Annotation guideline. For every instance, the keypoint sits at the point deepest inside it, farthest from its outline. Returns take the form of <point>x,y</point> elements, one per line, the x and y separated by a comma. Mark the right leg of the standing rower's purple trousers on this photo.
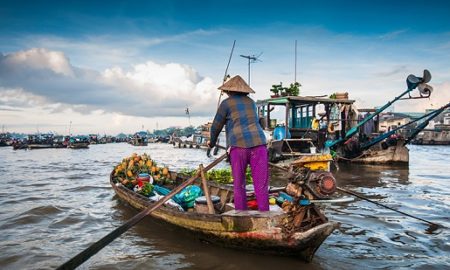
<point>260,174</point>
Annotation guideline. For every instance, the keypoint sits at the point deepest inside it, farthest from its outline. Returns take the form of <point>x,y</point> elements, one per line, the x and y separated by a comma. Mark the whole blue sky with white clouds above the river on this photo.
<point>118,66</point>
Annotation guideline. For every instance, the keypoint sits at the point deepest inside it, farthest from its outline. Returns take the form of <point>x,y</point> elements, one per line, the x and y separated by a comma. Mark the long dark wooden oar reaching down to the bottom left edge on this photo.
<point>97,246</point>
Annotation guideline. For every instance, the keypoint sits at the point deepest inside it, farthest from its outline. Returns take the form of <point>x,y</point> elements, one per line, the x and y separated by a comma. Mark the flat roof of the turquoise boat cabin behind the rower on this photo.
<point>306,100</point>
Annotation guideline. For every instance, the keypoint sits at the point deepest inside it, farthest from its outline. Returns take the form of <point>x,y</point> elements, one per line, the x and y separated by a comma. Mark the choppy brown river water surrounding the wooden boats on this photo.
<point>56,202</point>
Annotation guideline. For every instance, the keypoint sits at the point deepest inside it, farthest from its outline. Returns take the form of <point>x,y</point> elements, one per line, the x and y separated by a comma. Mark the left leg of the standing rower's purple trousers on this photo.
<point>239,158</point>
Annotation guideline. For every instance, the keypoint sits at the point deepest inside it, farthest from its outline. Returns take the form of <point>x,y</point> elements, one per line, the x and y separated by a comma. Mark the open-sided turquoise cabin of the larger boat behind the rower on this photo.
<point>300,124</point>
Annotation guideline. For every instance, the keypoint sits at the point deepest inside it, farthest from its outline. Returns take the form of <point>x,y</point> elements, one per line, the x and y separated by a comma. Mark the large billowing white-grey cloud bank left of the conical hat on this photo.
<point>148,89</point>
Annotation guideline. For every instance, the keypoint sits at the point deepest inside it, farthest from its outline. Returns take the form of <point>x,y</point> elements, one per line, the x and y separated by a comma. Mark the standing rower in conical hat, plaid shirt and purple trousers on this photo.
<point>246,140</point>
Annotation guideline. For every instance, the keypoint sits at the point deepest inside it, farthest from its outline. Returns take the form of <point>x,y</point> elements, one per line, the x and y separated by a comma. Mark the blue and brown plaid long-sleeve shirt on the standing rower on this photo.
<point>239,115</point>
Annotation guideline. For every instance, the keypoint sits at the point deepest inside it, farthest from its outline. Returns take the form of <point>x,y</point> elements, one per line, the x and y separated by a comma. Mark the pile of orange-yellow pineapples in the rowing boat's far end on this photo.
<point>128,170</point>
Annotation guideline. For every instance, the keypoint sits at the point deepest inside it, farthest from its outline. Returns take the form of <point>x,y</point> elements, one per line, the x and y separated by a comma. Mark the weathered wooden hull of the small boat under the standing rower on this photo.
<point>263,232</point>
